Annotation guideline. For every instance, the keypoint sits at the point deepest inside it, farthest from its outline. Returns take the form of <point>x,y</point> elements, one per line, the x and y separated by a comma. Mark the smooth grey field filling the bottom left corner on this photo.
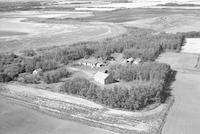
<point>18,119</point>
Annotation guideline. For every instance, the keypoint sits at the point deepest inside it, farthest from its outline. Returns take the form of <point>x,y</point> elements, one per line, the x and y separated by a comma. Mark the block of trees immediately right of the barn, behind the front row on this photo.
<point>147,71</point>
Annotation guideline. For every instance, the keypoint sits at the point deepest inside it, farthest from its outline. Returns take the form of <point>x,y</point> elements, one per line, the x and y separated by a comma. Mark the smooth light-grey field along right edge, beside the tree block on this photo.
<point>184,116</point>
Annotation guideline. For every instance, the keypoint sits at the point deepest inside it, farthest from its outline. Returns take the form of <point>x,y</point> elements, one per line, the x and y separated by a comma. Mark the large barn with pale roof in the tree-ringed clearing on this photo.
<point>103,78</point>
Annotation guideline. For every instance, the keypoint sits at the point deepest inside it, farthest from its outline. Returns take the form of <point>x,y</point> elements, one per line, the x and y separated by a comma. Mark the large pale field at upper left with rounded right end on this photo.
<point>18,34</point>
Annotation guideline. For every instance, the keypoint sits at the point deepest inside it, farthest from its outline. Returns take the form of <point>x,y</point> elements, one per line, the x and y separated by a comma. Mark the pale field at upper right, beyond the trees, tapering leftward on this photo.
<point>169,23</point>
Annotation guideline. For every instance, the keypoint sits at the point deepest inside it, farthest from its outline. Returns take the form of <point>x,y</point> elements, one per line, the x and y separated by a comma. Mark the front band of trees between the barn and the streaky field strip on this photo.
<point>137,97</point>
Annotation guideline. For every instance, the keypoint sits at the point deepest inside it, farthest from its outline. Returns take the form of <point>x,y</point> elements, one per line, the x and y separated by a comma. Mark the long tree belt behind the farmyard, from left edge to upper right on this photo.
<point>137,43</point>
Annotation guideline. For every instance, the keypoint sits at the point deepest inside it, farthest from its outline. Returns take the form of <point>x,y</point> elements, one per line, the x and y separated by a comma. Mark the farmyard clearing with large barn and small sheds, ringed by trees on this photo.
<point>99,67</point>
